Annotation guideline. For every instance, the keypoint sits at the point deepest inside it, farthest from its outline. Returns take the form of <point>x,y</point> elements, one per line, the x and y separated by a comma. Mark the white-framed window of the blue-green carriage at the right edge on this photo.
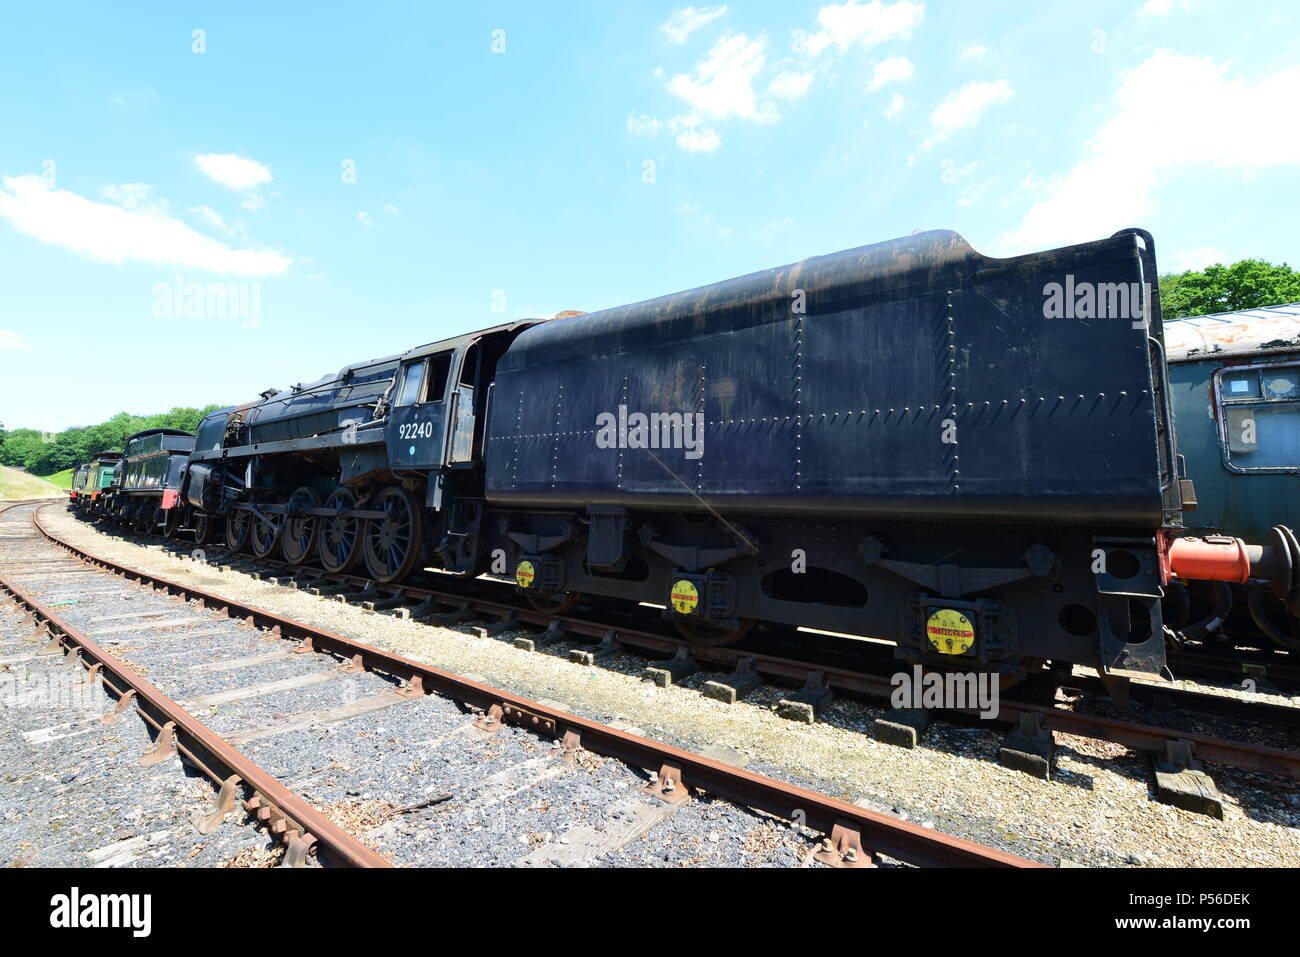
<point>1260,410</point>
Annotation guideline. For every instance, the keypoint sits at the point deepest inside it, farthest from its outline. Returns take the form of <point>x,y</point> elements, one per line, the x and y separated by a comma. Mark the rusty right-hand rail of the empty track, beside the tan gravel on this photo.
<point>848,825</point>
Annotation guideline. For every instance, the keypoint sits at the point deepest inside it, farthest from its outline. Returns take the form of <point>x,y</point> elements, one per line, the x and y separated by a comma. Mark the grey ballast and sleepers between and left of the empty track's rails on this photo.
<point>415,780</point>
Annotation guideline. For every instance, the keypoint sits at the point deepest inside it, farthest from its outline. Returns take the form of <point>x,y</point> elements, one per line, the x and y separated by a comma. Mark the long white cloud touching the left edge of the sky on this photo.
<point>135,232</point>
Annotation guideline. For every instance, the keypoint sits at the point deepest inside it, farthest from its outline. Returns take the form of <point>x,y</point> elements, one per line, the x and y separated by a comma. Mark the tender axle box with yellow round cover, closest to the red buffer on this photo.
<point>943,630</point>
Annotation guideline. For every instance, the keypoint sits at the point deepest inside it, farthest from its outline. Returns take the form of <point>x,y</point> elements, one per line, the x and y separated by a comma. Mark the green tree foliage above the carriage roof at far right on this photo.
<point>1247,285</point>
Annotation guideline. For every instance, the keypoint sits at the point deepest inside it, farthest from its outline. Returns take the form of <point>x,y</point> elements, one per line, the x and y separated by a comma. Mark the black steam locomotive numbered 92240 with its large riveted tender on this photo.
<point>905,441</point>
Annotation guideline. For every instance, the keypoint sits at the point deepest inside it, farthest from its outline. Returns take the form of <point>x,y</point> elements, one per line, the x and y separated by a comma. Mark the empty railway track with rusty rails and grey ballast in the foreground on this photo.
<point>440,741</point>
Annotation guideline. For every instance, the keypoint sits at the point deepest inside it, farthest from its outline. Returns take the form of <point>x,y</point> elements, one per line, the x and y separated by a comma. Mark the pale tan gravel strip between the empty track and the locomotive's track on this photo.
<point>1098,811</point>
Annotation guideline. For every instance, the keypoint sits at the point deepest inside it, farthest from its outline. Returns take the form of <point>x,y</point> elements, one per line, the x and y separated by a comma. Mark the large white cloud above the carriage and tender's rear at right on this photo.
<point>1115,185</point>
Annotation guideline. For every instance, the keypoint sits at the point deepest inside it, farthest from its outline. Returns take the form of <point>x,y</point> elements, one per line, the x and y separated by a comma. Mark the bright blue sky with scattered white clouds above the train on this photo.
<point>519,159</point>
